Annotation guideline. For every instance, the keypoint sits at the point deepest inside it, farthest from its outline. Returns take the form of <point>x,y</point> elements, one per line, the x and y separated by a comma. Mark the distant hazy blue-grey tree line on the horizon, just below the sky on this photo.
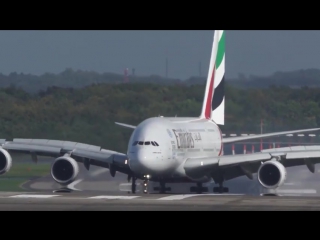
<point>78,79</point>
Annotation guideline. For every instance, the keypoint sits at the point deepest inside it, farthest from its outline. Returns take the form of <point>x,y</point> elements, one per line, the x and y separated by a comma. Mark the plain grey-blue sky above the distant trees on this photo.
<point>248,52</point>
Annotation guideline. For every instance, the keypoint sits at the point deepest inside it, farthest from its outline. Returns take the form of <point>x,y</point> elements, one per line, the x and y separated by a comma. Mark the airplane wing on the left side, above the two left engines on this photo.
<point>79,151</point>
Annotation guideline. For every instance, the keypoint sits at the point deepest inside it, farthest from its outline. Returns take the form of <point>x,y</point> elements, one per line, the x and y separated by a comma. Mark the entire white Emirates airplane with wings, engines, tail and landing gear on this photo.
<point>174,149</point>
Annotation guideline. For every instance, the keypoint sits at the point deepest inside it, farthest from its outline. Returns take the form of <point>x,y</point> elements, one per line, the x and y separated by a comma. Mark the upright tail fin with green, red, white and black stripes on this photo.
<point>214,99</point>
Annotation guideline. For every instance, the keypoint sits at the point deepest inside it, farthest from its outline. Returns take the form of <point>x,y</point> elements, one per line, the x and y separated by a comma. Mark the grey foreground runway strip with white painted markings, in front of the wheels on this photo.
<point>152,202</point>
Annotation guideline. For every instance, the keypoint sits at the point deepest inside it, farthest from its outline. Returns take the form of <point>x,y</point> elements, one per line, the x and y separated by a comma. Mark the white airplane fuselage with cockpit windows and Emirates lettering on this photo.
<point>158,147</point>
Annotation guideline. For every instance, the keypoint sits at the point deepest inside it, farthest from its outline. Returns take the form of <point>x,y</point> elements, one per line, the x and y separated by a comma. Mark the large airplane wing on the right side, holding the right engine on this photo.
<point>238,165</point>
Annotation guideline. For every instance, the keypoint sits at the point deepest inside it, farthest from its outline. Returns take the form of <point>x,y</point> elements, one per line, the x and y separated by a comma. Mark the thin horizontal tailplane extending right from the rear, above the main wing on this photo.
<point>265,135</point>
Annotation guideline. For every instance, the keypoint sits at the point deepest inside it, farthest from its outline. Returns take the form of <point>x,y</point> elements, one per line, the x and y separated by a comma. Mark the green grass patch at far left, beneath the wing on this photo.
<point>20,173</point>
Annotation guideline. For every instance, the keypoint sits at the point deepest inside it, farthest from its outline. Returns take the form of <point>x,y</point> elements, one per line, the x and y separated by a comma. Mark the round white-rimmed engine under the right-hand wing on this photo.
<point>272,174</point>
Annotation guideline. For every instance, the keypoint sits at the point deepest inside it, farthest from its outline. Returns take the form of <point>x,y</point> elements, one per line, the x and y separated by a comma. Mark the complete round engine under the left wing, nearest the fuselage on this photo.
<point>64,170</point>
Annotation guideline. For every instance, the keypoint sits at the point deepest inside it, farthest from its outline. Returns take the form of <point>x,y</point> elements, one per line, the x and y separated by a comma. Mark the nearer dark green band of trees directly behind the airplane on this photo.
<point>88,114</point>
